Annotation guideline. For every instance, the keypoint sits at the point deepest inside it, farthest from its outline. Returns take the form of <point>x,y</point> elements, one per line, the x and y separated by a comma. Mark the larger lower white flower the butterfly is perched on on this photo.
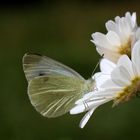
<point>123,85</point>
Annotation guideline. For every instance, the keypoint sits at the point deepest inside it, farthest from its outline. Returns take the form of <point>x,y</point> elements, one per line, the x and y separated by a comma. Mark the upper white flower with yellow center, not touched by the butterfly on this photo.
<point>120,38</point>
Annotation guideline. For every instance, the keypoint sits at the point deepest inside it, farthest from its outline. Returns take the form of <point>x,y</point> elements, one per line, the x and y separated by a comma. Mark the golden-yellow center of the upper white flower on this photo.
<point>126,48</point>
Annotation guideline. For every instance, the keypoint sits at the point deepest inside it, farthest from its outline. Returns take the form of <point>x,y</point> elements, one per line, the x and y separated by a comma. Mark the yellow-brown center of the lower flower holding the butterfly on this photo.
<point>128,92</point>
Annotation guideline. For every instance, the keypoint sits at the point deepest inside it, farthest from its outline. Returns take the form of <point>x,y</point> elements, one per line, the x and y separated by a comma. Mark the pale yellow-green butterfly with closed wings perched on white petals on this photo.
<point>53,88</point>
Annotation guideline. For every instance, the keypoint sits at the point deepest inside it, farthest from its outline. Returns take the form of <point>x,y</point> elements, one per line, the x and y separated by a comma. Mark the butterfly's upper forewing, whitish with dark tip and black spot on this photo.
<point>37,65</point>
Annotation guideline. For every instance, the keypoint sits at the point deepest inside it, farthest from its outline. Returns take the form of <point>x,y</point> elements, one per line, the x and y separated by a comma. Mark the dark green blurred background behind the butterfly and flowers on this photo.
<point>61,30</point>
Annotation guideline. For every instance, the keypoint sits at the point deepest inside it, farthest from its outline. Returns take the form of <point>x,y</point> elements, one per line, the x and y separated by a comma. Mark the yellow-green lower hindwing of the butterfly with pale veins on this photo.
<point>53,96</point>
